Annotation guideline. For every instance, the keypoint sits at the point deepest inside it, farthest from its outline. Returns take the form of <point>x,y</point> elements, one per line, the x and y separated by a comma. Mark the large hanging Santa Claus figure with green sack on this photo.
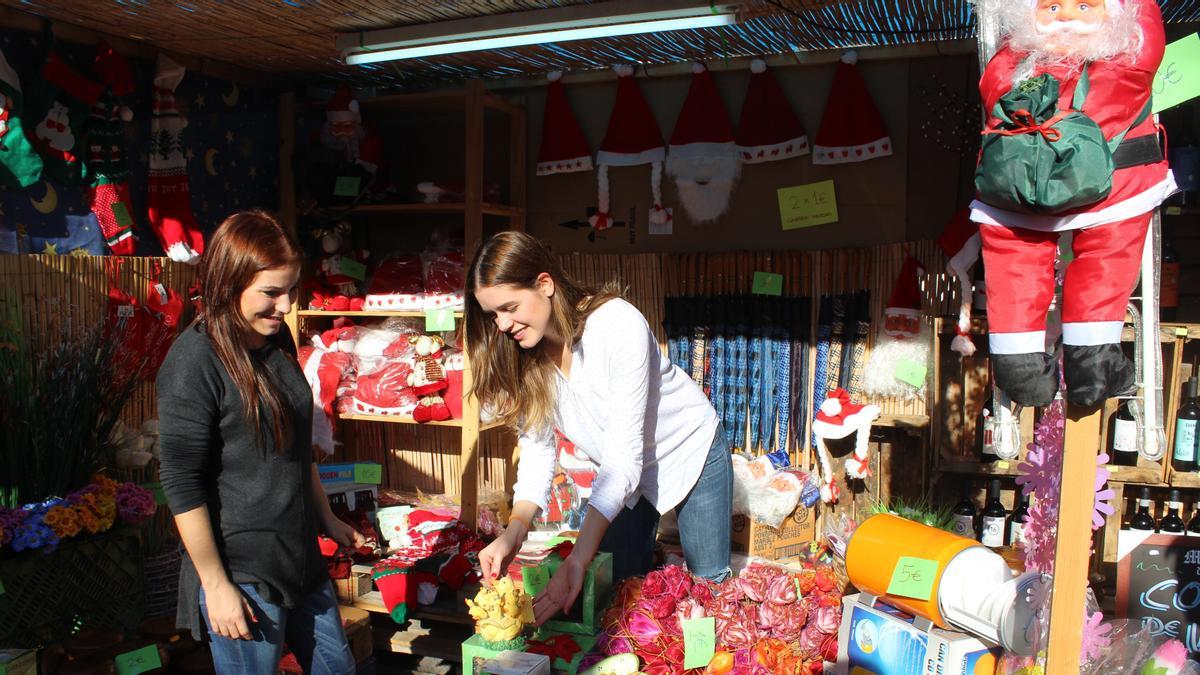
<point>1072,83</point>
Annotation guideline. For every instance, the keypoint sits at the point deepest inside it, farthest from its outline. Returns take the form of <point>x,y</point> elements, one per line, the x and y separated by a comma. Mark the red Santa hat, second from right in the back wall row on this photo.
<point>769,129</point>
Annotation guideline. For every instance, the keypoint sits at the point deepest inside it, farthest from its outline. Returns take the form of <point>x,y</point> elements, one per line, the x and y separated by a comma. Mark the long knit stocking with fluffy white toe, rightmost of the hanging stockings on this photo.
<point>167,192</point>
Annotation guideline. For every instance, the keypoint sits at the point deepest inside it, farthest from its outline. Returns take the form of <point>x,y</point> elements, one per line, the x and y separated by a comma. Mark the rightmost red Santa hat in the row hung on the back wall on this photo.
<point>851,130</point>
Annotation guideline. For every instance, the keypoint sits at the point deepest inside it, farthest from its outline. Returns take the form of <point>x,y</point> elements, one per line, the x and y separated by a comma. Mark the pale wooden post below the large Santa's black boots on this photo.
<point>1073,548</point>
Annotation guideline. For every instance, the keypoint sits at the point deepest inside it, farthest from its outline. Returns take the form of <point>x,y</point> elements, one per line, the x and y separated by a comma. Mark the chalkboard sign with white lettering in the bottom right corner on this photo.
<point>1159,584</point>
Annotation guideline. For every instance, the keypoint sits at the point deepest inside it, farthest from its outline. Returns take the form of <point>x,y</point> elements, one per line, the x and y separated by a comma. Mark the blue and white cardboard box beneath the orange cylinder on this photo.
<point>884,641</point>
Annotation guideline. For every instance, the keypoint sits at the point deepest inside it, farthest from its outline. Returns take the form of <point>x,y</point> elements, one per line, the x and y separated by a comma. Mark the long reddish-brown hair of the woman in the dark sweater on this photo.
<point>247,244</point>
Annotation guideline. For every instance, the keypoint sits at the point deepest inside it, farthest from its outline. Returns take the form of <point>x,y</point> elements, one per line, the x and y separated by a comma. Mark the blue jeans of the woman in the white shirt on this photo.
<point>704,524</point>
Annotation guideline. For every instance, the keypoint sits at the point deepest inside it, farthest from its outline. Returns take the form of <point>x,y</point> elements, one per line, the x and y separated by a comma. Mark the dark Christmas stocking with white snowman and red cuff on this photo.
<point>64,99</point>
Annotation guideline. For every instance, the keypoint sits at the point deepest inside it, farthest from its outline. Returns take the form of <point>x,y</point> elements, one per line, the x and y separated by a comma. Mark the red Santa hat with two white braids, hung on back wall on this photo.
<point>633,139</point>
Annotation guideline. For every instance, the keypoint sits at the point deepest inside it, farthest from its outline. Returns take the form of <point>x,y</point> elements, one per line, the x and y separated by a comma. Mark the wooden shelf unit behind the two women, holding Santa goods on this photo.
<point>473,101</point>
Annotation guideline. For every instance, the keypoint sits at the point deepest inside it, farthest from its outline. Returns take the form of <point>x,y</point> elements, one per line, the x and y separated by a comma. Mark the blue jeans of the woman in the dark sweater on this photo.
<point>314,632</point>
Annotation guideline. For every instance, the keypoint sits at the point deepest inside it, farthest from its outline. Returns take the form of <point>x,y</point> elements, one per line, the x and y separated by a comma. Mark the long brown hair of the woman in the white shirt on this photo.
<point>520,385</point>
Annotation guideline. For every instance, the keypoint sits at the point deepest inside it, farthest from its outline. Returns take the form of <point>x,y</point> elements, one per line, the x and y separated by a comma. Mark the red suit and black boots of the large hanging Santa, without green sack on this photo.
<point>1019,249</point>
